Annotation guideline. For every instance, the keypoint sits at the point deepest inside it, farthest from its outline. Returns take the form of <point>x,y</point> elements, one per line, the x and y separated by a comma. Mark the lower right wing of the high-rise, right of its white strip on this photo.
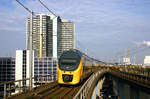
<point>66,36</point>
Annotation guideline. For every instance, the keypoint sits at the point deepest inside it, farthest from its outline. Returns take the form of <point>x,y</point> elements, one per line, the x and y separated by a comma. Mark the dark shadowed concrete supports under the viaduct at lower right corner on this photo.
<point>126,90</point>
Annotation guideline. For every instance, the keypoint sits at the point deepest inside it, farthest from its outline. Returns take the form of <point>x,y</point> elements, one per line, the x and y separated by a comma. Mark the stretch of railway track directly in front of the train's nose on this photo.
<point>58,92</point>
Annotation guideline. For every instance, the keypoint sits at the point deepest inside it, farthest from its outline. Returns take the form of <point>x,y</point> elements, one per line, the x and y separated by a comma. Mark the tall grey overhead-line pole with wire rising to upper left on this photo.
<point>30,52</point>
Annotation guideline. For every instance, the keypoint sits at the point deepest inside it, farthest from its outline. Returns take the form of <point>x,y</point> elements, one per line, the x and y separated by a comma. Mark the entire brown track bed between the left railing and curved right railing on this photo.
<point>50,91</point>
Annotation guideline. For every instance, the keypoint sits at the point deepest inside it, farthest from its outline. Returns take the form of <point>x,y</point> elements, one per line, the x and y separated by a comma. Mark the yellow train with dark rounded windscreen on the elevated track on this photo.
<point>74,66</point>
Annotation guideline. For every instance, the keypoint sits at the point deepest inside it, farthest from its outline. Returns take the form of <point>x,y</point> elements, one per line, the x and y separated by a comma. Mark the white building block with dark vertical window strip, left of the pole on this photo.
<point>22,66</point>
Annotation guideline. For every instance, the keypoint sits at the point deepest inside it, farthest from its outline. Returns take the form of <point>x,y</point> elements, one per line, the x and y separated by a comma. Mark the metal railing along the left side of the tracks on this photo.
<point>16,87</point>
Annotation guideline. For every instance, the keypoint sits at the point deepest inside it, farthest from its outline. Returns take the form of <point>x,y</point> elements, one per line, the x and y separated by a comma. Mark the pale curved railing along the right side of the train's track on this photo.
<point>86,88</point>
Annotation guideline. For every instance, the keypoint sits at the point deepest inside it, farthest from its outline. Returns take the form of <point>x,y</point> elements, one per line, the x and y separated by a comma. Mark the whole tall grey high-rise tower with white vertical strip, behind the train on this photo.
<point>50,35</point>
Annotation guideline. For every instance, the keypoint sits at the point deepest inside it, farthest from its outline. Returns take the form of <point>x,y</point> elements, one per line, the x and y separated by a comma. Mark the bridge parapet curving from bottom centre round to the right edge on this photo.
<point>136,75</point>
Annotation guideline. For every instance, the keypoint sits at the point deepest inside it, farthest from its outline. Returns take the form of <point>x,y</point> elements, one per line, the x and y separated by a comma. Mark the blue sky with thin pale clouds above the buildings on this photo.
<point>104,29</point>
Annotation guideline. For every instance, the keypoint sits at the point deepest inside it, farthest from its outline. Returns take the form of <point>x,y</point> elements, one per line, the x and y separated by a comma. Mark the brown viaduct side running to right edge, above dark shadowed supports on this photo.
<point>141,77</point>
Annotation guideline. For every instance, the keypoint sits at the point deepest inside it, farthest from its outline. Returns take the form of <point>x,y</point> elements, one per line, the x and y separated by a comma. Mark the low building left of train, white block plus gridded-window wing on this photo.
<point>43,69</point>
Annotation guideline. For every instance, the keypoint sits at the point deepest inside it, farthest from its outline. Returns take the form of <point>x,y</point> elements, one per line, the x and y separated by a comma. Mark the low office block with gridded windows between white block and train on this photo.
<point>45,70</point>
